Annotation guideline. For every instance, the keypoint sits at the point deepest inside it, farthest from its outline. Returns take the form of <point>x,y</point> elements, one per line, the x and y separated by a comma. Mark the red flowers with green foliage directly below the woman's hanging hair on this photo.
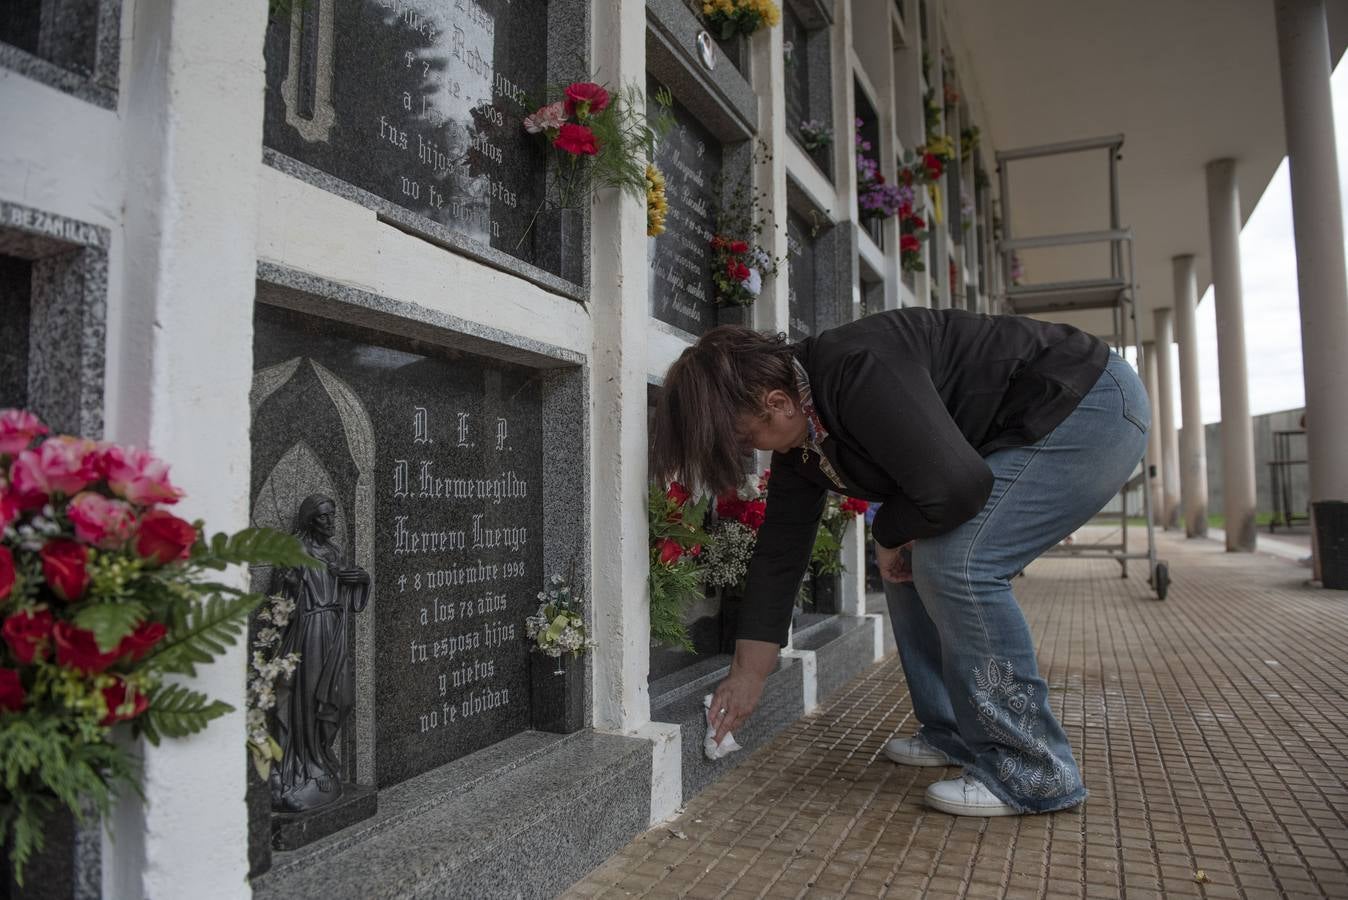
<point>675,527</point>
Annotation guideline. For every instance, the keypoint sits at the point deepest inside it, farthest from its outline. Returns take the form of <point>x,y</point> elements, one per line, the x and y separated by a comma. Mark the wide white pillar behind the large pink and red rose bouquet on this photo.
<point>180,368</point>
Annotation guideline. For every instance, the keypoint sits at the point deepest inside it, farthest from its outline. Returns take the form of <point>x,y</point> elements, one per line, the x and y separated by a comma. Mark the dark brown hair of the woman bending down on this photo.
<point>712,383</point>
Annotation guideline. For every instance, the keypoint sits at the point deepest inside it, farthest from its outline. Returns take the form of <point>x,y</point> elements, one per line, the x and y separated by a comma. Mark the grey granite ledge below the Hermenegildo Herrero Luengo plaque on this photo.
<point>524,818</point>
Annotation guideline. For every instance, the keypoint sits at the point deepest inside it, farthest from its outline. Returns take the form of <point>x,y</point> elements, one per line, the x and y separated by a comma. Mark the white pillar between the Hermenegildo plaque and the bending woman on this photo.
<point>618,385</point>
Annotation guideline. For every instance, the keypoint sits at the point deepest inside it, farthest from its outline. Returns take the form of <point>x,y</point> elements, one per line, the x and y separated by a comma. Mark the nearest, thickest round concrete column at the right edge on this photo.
<point>1318,219</point>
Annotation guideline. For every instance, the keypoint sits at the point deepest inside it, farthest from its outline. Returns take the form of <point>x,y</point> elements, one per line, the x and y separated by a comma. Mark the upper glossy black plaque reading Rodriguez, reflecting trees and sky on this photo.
<point>423,104</point>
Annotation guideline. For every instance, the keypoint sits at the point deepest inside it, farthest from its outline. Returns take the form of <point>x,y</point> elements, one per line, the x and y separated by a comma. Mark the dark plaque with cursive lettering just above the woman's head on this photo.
<point>681,288</point>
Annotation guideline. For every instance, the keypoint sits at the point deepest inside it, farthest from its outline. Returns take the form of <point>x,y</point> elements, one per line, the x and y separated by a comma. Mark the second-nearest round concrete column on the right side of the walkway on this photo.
<point>1238,455</point>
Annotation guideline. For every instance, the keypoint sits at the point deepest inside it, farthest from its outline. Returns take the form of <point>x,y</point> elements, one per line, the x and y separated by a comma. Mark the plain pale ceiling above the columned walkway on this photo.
<point>1186,82</point>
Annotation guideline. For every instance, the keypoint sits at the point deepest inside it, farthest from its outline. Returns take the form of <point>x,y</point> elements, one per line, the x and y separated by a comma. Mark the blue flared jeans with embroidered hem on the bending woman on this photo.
<point>966,647</point>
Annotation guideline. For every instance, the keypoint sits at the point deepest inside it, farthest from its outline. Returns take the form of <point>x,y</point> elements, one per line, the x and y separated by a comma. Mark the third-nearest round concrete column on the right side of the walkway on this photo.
<point>1194,444</point>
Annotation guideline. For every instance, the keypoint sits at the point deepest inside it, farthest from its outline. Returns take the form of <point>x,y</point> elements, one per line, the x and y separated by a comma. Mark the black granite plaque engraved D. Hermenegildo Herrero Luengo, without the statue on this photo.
<point>435,461</point>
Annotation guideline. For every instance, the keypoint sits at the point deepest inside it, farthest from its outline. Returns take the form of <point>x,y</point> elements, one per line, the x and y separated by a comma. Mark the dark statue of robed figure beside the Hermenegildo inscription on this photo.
<point>313,707</point>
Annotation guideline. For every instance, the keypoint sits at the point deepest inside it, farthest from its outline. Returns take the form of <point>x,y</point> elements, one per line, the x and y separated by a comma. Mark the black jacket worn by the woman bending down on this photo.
<point>913,401</point>
